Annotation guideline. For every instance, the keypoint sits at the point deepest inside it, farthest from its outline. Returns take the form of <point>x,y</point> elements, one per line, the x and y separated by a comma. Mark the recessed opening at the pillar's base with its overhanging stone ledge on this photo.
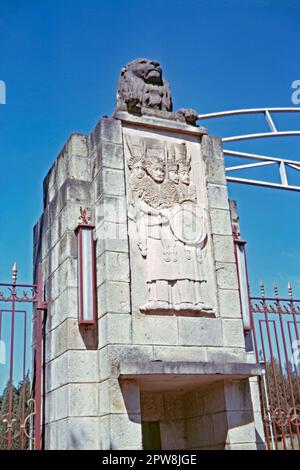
<point>193,405</point>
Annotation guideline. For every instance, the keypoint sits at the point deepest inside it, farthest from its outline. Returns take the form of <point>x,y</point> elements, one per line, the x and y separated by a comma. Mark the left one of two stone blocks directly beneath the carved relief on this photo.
<point>154,330</point>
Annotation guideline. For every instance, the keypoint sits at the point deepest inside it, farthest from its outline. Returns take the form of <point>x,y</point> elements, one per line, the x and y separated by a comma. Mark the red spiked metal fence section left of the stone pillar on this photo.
<point>20,406</point>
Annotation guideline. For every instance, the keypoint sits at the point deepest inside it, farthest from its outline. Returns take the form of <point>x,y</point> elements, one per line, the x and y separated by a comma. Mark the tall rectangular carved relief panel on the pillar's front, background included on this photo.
<point>167,227</point>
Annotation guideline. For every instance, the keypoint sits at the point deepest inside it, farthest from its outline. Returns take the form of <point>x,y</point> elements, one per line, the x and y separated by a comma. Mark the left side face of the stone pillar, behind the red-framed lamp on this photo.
<point>71,389</point>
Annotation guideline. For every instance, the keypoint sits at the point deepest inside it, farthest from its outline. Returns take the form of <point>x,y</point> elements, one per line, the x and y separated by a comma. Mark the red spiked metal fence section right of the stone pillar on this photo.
<point>275,328</point>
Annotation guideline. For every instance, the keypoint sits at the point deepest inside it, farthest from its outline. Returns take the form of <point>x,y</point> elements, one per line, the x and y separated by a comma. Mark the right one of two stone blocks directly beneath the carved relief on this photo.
<point>200,331</point>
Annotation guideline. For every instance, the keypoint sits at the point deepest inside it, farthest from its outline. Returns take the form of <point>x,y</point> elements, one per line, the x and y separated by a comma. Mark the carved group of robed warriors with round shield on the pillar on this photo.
<point>164,214</point>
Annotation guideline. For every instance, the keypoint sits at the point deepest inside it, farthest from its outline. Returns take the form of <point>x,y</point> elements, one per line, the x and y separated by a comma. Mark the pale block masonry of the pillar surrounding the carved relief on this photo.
<point>86,406</point>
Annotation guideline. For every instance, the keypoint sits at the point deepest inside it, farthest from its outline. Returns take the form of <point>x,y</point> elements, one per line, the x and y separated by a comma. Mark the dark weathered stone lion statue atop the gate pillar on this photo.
<point>143,90</point>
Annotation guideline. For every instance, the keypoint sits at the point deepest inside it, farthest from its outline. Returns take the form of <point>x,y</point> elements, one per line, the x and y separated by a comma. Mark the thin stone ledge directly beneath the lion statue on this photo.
<point>158,123</point>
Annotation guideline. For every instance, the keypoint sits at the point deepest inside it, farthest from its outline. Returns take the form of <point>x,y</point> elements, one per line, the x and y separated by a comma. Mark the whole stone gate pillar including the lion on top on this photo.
<point>166,364</point>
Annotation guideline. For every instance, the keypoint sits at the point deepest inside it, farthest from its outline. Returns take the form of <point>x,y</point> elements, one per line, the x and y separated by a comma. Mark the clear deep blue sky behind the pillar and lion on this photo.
<point>61,61</point>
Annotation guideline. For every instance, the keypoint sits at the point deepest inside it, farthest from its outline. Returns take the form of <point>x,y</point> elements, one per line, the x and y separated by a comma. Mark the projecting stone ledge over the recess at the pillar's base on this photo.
<point>167,375</point>
